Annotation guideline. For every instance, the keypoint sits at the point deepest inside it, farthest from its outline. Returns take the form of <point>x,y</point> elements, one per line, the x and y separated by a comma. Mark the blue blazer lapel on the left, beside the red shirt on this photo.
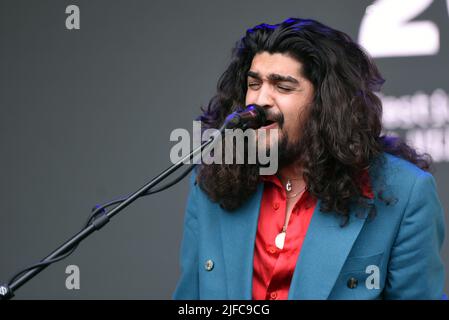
<point>238,231</point>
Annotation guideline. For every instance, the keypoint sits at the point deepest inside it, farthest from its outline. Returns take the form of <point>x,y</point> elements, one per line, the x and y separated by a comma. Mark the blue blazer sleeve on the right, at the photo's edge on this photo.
<point>415,269</point>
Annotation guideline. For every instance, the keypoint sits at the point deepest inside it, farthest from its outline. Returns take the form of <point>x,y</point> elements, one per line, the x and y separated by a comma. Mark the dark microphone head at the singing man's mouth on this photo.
<point>254,117</point>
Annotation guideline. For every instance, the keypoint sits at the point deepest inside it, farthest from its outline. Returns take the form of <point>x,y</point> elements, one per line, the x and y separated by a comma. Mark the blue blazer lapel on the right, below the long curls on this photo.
<point>323,253</point>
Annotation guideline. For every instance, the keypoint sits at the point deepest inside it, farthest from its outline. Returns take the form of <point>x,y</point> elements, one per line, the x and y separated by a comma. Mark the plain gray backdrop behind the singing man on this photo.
<point>86,117</point>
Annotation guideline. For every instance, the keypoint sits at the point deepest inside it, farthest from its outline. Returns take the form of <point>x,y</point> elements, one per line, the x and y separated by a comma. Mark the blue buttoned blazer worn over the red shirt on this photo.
<point>403,242</point>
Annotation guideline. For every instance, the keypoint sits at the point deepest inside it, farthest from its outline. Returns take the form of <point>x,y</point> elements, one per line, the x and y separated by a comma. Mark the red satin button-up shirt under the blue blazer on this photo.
<point>272,267</point>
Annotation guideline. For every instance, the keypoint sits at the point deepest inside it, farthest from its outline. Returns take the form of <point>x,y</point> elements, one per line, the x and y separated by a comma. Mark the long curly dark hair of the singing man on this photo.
<point>341,136</point>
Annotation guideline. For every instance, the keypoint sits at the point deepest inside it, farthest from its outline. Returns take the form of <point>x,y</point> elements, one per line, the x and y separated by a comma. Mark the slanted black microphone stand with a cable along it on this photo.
<point>7,290</point>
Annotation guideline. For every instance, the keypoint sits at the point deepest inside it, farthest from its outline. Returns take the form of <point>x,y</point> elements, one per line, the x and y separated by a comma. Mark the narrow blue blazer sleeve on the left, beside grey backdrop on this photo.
<point>188,284</point>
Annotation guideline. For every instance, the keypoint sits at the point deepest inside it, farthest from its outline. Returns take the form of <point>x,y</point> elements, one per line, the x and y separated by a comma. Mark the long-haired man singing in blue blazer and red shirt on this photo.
<point>350,213</point>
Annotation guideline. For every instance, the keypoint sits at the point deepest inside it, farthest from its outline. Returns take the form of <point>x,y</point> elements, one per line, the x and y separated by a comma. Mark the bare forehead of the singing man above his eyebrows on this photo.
<point>266,63</point>
